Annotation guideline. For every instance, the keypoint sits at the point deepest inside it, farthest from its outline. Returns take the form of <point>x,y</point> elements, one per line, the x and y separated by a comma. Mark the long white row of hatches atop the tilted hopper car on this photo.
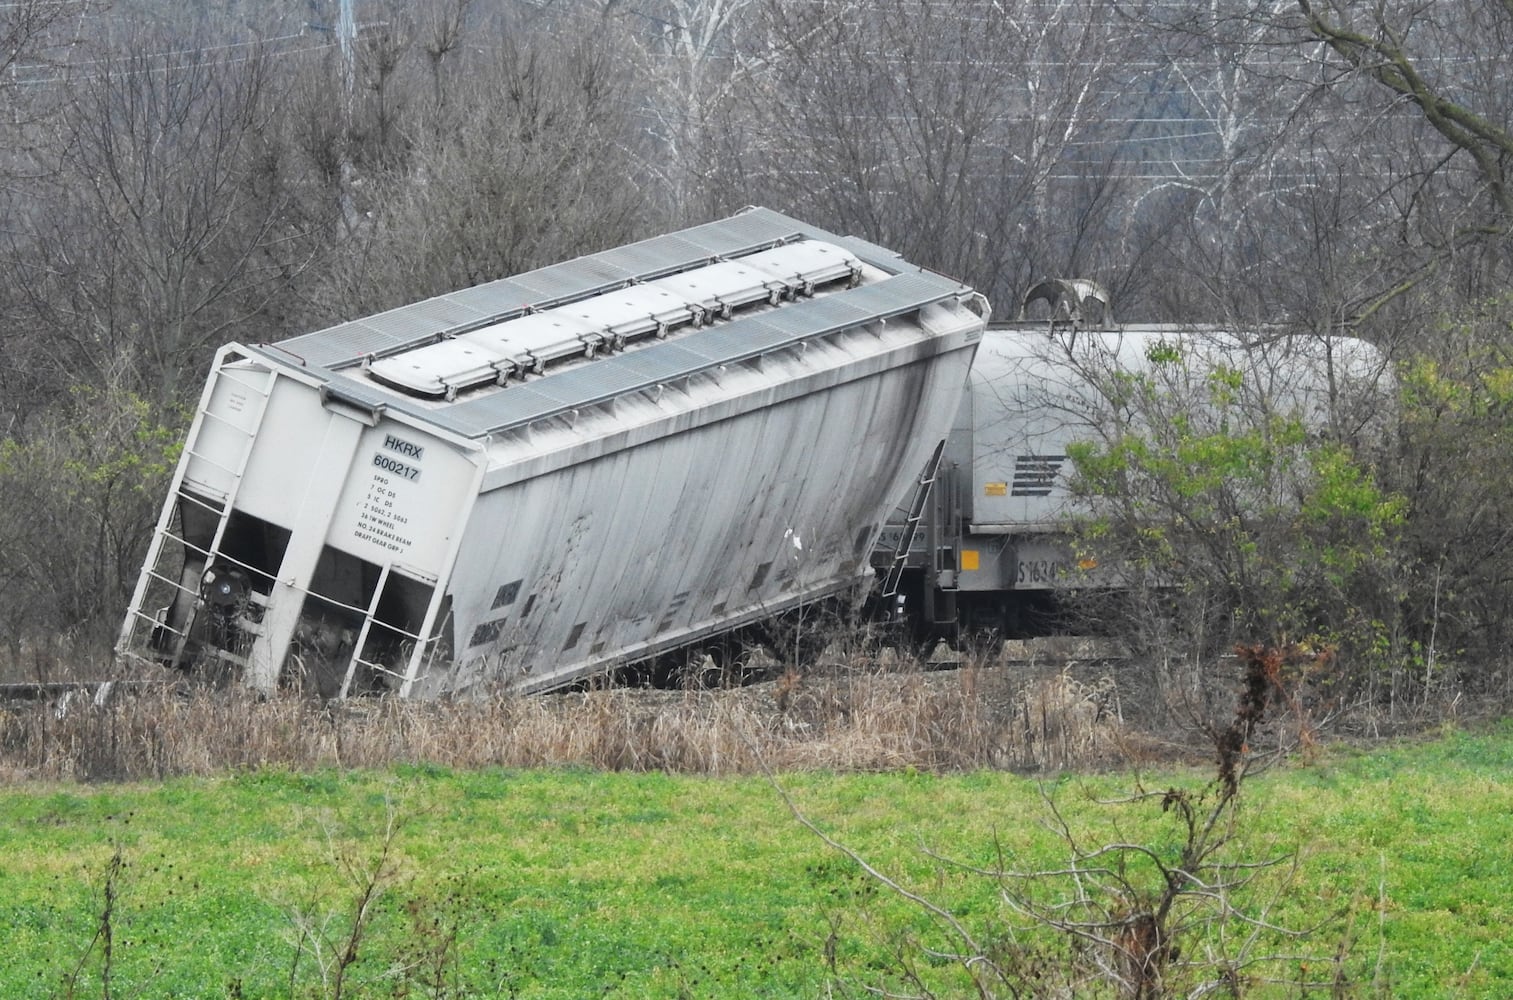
<point>609,321</point>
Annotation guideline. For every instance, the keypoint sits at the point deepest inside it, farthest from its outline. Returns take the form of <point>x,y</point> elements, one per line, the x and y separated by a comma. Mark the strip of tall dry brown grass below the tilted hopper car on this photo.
<point>865,715</point>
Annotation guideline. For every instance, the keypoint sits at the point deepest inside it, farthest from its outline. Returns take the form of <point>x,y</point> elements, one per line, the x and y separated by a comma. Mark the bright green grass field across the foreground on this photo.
<point>582,884</point>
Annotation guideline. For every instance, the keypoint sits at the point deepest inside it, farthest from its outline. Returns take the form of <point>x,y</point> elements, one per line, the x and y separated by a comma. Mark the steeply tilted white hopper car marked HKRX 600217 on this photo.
<point>536,479</point>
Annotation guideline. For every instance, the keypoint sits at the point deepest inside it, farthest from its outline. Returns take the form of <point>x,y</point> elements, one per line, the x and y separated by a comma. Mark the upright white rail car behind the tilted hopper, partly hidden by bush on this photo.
<point>992,544</point>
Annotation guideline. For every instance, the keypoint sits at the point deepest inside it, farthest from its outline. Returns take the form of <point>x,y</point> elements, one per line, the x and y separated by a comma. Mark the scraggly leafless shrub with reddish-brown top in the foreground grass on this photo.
<point>1182,908</point>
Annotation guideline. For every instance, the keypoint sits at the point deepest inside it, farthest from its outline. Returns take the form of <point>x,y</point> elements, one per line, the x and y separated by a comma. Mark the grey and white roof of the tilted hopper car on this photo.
<point>494,341</point>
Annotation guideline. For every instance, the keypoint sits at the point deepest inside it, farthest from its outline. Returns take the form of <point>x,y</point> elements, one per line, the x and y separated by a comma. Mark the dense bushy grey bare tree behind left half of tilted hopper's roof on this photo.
<point>526,166</point>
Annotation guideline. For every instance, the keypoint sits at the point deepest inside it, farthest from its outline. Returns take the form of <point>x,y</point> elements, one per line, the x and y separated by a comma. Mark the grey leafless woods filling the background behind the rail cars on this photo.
<point>175,176</point>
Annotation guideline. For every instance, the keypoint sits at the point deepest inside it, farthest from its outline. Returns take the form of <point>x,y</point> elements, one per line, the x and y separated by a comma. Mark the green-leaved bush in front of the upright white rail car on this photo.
<point>1238,517</point>
